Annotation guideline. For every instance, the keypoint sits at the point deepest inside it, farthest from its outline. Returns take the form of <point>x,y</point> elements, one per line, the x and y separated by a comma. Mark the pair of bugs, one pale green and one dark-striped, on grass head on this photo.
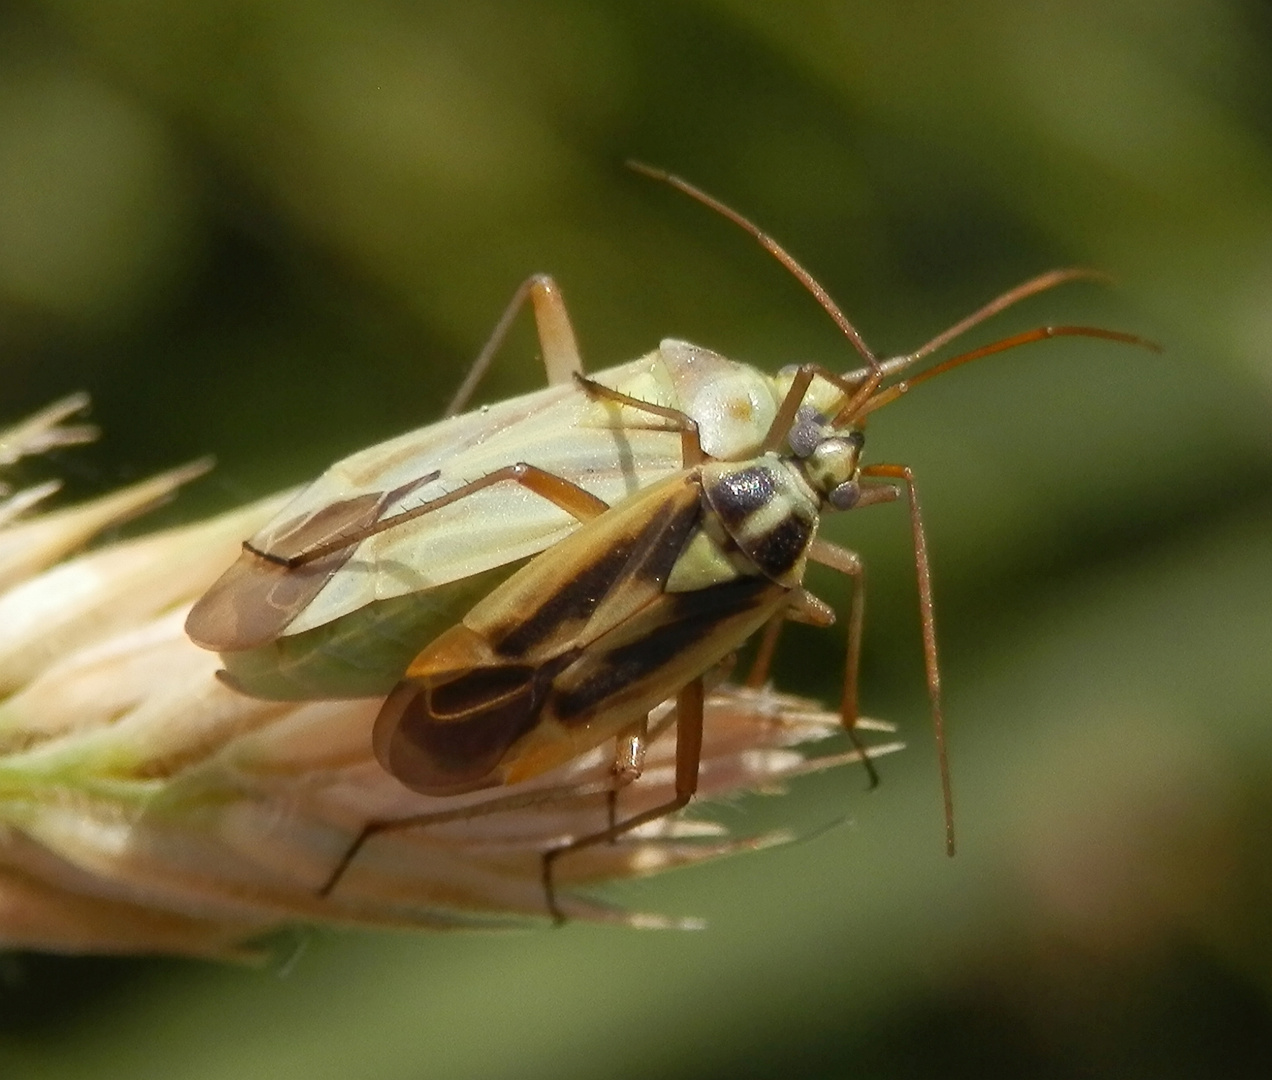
<point>672,506</point>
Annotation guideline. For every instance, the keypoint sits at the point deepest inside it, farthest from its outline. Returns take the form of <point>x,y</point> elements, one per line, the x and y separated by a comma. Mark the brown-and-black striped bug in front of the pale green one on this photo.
<point>652,596</point>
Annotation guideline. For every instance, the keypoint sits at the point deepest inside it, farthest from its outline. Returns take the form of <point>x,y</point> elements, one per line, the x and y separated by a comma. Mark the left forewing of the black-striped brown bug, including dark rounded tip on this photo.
<point>471,704</point>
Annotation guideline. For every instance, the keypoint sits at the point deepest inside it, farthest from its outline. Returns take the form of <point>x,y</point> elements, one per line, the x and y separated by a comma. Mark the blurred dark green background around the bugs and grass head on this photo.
<point>277,232</point>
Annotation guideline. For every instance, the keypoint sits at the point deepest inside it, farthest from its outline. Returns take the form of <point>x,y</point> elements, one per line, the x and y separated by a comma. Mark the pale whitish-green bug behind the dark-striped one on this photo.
<point>390,546</point>
